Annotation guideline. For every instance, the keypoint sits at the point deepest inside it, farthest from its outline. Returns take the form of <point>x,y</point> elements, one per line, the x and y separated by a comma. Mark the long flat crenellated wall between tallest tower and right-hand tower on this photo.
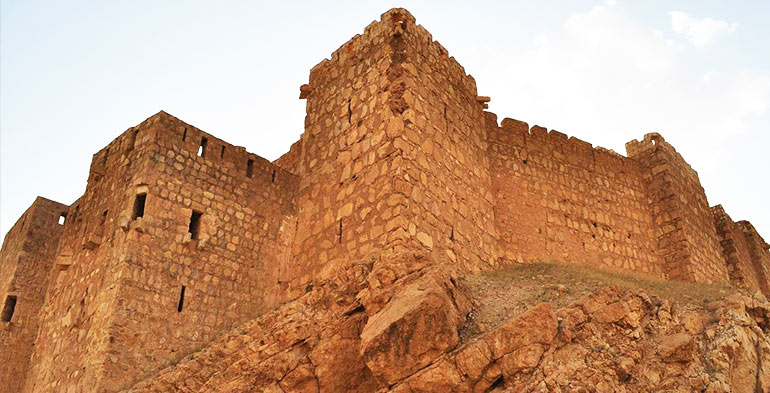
<point>561,199</point>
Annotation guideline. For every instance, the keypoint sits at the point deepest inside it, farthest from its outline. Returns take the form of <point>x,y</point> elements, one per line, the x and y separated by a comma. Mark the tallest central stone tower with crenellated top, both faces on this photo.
<point>393,155</point>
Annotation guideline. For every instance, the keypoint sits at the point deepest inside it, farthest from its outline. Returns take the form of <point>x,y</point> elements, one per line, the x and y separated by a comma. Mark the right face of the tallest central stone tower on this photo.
<point>444,177</point>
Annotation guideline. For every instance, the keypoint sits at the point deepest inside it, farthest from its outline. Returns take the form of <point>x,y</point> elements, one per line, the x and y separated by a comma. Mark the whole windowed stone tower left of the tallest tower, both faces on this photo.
<point>112,316</point>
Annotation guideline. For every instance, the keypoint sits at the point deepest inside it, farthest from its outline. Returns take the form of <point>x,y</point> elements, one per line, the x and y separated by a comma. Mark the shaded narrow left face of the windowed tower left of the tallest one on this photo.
<point>71,348</point>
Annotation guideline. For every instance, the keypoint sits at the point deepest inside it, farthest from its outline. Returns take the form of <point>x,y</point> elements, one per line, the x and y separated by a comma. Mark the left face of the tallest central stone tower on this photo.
<point>345,158</point>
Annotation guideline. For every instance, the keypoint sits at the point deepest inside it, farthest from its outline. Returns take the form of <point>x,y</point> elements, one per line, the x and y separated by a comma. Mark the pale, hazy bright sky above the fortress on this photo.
<point>75,74</point>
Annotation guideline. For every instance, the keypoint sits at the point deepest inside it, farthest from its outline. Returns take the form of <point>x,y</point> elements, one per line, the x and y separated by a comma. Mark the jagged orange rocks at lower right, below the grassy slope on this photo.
<point>615,340</point>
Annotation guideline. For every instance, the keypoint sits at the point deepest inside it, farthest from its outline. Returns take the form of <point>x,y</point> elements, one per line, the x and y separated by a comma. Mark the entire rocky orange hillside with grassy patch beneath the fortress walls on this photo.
<point>397,325</point>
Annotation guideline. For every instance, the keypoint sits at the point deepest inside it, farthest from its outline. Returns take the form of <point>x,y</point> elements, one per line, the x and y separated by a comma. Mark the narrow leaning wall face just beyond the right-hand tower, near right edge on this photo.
<point>735,250</point>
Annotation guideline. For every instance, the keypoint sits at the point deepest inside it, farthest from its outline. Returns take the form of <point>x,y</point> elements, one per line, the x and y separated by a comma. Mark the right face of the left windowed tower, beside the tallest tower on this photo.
<point>230,272</point>
